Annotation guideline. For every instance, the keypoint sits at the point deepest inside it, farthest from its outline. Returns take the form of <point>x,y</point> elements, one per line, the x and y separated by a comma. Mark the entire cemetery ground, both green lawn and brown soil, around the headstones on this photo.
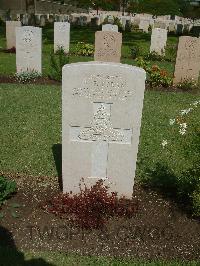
<point>161,228</point>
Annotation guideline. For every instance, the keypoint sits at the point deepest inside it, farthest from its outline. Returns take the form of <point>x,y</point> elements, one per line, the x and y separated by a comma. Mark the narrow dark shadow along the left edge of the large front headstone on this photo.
<point>57,154</point>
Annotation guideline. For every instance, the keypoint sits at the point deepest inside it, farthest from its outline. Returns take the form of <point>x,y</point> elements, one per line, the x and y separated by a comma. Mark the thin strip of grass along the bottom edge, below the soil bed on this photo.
<point>8,256</point>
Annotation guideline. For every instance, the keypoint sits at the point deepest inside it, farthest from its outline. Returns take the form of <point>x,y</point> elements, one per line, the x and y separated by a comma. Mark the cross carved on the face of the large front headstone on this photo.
<point>100,134</point>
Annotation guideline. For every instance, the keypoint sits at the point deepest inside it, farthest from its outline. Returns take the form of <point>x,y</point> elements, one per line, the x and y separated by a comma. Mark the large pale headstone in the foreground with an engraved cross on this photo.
<point>101,117</point>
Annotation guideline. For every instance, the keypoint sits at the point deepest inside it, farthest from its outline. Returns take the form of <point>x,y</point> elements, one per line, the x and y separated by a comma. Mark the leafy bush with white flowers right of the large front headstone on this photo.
<point>183,144</point>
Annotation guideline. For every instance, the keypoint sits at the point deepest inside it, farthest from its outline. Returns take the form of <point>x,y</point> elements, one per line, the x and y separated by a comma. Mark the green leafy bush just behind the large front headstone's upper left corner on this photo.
<point>57,61</point>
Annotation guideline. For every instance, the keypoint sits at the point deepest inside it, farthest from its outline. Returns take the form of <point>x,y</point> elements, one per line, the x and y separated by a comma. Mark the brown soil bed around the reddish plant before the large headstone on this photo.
<point>158,230</point>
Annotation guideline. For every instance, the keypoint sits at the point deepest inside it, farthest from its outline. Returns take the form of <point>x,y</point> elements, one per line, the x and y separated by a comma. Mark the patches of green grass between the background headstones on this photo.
<point>130,39</point>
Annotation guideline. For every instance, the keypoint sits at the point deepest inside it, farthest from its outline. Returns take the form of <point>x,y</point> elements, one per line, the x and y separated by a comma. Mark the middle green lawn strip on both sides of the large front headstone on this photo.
<point>31,125</point>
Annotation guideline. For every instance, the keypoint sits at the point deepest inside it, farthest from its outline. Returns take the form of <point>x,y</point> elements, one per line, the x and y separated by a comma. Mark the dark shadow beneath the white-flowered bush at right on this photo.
<point>177,187</point>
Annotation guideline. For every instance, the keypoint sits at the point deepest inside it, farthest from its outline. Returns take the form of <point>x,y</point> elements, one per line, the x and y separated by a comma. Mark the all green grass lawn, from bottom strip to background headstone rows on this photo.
<point>31,126</point>
